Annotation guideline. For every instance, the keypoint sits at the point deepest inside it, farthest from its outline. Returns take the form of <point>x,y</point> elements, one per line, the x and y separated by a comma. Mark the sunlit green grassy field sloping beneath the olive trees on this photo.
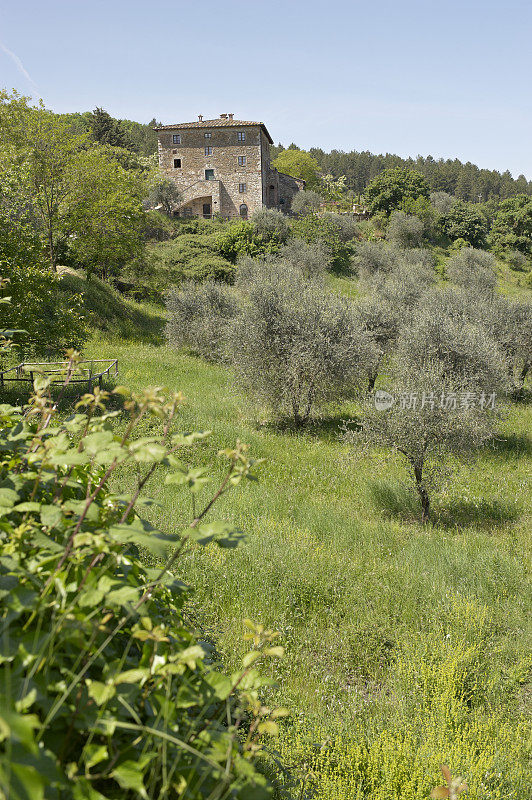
<point>406,645</point>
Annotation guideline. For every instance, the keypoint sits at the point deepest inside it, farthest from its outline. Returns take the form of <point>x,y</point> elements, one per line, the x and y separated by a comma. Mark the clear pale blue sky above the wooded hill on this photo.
<point>450,79</point>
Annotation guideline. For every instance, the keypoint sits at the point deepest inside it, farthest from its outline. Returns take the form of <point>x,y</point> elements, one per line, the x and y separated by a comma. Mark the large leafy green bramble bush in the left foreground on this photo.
<point>105,692</point>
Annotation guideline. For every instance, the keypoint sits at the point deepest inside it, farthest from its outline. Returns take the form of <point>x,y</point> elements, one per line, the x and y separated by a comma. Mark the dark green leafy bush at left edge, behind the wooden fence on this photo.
<point>51,322</point>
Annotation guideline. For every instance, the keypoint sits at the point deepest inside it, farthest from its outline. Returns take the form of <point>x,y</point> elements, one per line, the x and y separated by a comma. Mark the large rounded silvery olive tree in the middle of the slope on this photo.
<point>295,346</point>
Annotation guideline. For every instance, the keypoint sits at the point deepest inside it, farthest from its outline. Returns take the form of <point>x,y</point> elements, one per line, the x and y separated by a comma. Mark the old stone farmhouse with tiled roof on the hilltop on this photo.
<point>222,167</point>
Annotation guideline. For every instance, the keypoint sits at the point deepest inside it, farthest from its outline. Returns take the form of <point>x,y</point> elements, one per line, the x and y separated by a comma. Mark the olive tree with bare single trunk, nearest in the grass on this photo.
<point>430,417</point>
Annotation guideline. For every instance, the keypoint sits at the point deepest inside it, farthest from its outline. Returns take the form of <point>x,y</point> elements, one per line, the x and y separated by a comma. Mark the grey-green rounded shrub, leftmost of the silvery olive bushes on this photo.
<point>198,315</point>
